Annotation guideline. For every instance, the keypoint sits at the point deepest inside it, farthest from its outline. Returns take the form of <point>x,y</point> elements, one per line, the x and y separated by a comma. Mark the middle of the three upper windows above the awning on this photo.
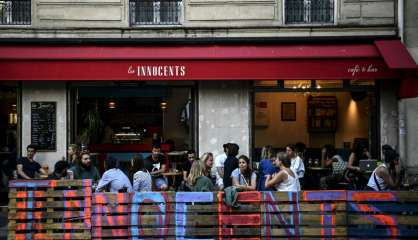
<point>154,12</point>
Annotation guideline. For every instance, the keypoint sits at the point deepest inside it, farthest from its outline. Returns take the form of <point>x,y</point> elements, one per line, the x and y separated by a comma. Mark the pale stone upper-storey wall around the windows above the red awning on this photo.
<point>200,19</point>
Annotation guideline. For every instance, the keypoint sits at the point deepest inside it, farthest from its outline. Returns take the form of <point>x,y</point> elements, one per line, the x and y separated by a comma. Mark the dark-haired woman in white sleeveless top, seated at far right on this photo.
<point>381,179</point>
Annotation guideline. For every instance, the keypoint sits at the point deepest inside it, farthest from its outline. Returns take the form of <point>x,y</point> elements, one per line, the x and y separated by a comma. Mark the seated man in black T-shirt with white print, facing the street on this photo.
<point>155,164</point>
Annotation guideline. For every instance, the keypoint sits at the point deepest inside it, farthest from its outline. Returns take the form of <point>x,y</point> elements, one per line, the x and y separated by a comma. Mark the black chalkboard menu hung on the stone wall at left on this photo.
<point>43,125</point>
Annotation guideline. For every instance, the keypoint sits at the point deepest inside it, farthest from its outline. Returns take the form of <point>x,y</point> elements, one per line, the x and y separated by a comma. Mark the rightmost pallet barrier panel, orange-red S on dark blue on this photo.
<point>383,215</point>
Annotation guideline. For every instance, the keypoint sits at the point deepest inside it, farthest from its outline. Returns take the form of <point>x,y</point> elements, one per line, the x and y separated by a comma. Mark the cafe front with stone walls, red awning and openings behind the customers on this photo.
<point>254,79</point>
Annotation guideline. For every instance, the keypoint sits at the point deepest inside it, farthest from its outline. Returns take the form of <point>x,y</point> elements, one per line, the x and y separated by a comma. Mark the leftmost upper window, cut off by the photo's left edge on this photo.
<point>15,12</point>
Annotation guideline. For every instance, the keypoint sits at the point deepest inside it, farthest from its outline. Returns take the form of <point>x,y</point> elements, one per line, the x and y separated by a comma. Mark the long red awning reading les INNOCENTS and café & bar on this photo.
<point>195,62</point>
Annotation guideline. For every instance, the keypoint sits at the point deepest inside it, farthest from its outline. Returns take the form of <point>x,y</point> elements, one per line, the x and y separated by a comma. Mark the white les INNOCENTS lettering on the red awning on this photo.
<point>158,71</point>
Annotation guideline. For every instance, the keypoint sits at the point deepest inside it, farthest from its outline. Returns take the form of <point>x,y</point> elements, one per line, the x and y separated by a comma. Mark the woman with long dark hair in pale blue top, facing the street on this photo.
<point>243,177</point>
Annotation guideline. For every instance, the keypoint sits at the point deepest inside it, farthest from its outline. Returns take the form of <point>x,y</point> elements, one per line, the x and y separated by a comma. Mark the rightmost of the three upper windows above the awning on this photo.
<point>309,11</point>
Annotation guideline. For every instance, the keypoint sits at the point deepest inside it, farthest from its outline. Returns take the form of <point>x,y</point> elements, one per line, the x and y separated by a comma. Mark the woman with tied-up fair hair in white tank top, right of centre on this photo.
<point>286,179</point>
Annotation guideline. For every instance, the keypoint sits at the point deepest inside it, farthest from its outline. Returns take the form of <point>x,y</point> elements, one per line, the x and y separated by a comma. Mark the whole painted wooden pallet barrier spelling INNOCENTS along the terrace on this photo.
<point>63,210</point>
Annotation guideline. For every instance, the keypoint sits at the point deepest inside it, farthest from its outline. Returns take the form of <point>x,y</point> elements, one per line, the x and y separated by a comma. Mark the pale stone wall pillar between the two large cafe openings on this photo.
<point>223,115</point>
